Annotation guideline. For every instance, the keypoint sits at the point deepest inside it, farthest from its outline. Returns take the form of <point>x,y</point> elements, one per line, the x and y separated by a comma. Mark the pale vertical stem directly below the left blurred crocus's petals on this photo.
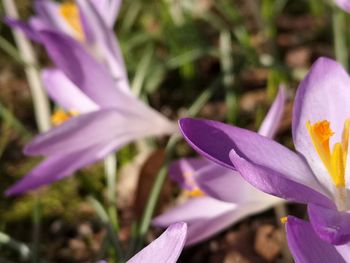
<point>111,174</point>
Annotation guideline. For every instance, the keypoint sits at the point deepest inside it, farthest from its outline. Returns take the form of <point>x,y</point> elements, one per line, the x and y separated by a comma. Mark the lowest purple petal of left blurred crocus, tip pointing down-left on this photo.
<point>60,166</point>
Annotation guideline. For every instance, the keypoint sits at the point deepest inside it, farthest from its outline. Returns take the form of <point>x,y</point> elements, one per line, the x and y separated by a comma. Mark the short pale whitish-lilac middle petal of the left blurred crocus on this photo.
<point>65,93</point>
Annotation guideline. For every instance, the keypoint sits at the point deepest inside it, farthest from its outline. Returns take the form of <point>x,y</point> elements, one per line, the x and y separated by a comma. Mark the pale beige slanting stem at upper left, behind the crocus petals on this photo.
<point>40,100</point>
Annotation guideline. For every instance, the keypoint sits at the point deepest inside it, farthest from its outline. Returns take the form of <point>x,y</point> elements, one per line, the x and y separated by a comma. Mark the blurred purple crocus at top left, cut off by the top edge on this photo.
<point>89,21</point>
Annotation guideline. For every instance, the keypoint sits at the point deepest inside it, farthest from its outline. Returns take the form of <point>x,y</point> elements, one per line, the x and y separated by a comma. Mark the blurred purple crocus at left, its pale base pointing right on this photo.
<point>109,119</point>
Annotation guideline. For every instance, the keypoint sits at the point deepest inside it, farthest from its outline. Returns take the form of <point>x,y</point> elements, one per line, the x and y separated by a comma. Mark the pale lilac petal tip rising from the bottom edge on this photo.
<point>166,248</point>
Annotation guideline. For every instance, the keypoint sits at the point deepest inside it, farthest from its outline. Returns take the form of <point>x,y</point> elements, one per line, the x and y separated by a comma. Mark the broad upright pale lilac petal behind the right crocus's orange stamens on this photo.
<point>324,94</point>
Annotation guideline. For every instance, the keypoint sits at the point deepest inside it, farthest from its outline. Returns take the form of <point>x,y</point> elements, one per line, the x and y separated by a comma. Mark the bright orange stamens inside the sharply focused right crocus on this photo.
<point>335,160</point>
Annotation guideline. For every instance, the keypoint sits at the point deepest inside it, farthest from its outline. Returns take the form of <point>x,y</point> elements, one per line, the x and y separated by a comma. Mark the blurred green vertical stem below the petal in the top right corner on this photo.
<point>339,37</point>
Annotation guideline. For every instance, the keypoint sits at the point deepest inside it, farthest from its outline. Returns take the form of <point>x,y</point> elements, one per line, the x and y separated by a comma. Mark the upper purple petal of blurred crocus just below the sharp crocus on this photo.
<point>228,186</point>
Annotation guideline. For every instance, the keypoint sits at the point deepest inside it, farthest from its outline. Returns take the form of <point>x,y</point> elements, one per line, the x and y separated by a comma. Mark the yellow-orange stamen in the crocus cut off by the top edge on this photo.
<point>70,12</point>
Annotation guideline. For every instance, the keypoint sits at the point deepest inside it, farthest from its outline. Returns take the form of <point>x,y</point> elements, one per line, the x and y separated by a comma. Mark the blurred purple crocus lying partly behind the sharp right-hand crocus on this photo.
<point>228,197</point>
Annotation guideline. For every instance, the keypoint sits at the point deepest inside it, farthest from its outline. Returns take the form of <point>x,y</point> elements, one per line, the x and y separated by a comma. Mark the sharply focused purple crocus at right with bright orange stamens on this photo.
<point>316,175</point>
